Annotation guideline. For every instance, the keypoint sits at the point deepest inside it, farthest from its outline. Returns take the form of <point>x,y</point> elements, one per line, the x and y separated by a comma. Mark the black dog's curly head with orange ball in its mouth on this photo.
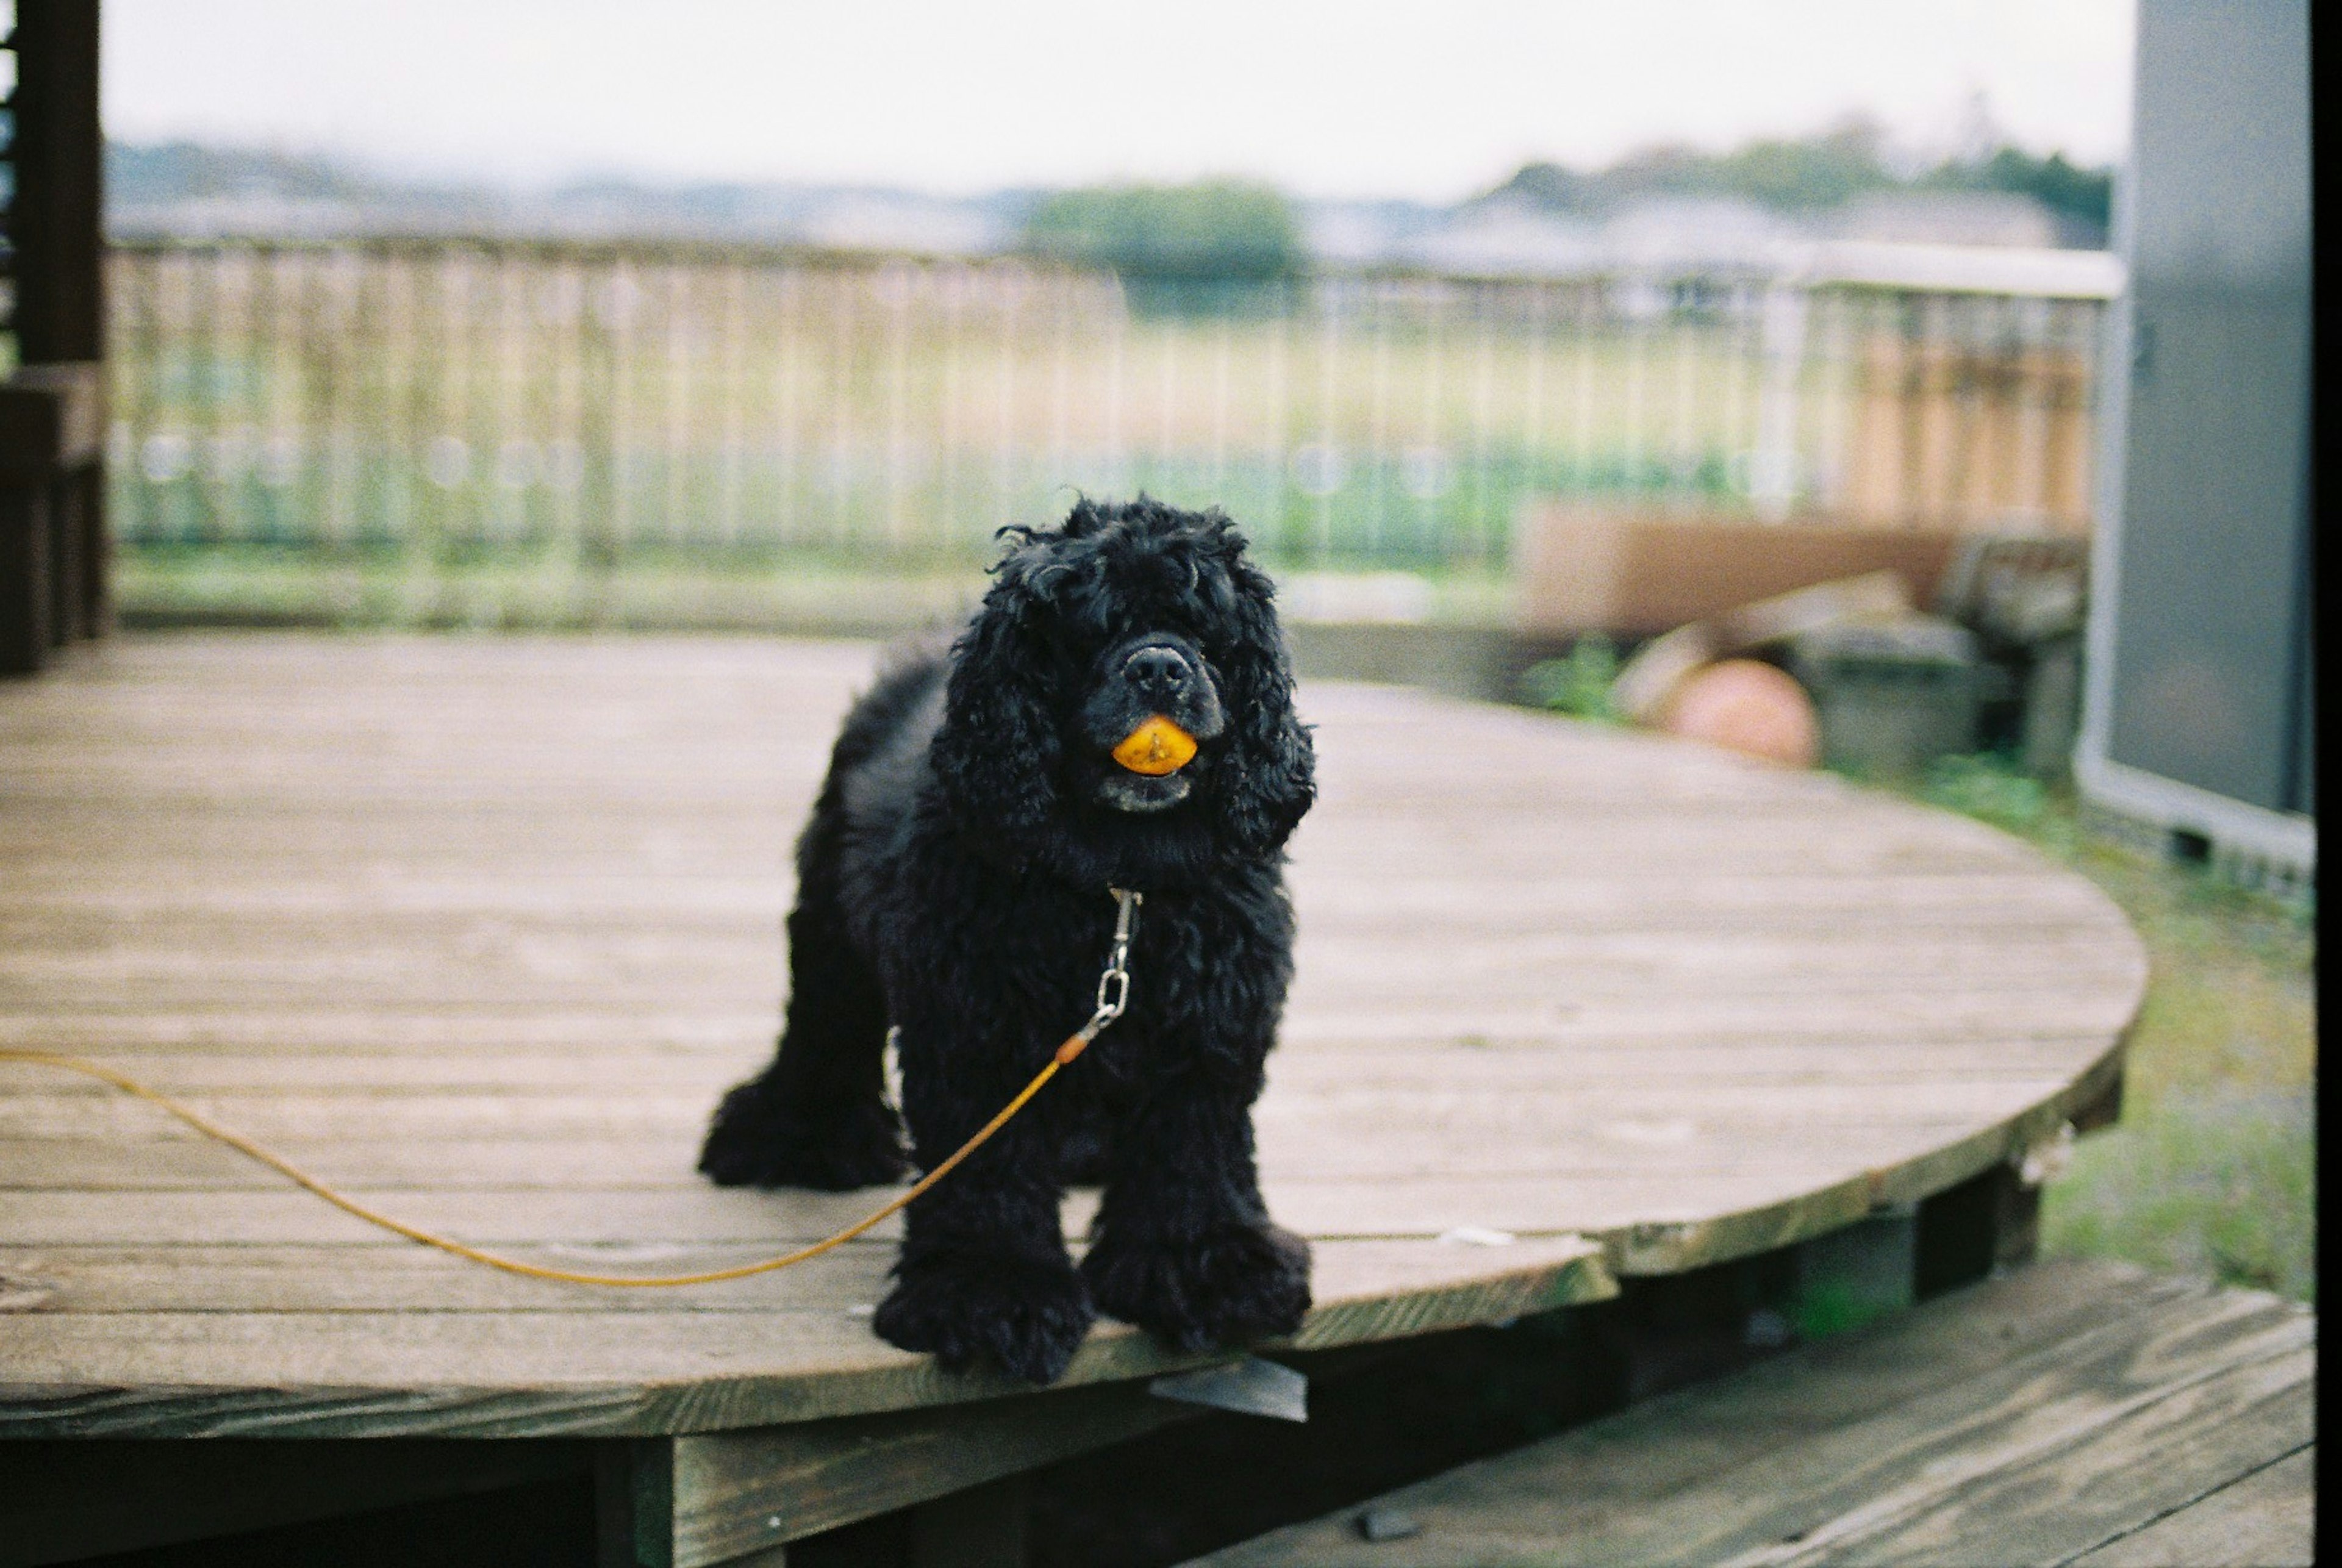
<point>1121,708</point>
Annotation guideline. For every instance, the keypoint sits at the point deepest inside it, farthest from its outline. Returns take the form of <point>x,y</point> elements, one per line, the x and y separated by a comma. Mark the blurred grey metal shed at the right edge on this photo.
<point>2203,717</point>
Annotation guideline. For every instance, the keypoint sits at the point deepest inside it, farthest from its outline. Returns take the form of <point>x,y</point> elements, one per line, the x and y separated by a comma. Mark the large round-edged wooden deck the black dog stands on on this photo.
<point>484,926</point>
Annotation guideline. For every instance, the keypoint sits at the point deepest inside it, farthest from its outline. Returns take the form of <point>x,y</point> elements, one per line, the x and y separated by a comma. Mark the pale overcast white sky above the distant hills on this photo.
<point>1327,99</point>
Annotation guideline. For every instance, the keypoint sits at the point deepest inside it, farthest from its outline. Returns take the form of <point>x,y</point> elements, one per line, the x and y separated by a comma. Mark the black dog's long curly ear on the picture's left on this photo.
<point>997,752</point>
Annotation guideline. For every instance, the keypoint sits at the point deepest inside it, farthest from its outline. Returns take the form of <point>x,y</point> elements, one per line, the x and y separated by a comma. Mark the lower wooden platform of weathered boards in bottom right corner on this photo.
<point>2071,1412</point>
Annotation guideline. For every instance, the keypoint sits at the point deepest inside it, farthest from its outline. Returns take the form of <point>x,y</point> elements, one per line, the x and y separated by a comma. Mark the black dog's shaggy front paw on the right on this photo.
<point>1221,1288</point>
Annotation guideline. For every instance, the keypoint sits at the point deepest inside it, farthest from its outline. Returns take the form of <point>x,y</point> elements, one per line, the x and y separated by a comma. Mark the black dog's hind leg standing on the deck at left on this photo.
<point>819,1115</point>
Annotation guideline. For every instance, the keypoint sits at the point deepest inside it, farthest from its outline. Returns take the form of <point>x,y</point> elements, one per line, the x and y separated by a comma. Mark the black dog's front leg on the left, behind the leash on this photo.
<point>985,1274</point>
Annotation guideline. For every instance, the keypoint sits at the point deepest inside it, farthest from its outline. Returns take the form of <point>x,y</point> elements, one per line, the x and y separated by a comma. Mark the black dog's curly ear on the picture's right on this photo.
<point>1268,776</point>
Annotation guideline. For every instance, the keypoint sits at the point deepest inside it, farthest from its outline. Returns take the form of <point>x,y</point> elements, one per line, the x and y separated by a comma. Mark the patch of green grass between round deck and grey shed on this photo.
<point>2214,1162</point>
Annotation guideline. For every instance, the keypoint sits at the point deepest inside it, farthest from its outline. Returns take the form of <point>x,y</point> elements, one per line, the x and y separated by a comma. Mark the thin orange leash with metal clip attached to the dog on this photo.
<point>1114,996</point>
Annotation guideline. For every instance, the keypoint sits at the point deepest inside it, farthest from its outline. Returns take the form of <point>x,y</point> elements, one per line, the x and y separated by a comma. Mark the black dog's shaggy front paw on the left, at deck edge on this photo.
<point>1020,1314</point>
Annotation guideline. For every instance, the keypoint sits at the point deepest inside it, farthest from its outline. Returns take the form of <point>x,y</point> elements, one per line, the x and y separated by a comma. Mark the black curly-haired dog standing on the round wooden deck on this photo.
<point>954,881</point>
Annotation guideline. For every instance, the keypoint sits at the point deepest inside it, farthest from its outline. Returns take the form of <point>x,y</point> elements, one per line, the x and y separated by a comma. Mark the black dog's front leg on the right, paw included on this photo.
<point>1184,1244</point>
